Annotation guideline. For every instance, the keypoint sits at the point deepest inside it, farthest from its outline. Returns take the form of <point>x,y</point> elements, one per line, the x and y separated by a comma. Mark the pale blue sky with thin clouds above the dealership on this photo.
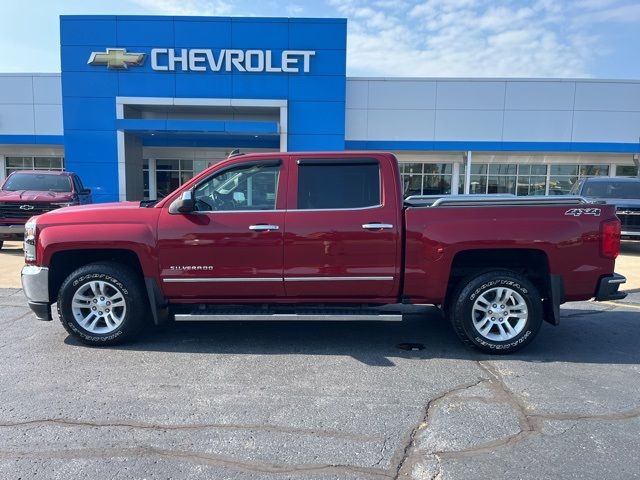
<point>404,38</point>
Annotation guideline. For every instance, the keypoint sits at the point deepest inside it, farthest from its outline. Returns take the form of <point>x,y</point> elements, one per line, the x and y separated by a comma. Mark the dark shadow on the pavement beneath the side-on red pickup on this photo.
<point>583,336</point>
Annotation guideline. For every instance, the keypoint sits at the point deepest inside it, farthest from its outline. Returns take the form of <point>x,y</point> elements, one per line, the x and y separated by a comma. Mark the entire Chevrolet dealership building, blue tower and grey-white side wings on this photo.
<point>143,103</point>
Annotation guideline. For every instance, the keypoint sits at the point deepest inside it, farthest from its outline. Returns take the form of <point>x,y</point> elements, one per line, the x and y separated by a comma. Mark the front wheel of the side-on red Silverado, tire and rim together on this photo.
<point>102,304</point>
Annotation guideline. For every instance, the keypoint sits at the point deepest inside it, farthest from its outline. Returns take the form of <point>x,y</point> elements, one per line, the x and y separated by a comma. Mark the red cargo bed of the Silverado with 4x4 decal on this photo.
<point>562,232</point>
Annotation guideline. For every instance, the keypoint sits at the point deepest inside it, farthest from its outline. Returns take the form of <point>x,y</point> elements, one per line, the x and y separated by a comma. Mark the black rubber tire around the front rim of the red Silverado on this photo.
<point>119,277</point>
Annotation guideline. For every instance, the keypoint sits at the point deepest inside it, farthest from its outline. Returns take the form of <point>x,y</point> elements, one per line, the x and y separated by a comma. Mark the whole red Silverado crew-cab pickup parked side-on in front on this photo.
<point>319,236</point>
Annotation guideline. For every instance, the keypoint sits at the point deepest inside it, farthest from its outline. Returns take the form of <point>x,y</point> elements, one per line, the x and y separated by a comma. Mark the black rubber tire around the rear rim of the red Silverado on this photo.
<point>462,315</point>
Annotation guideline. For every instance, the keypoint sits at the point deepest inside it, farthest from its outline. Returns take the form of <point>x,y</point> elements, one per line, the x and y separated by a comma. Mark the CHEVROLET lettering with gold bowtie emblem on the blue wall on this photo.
<point>204,59</point>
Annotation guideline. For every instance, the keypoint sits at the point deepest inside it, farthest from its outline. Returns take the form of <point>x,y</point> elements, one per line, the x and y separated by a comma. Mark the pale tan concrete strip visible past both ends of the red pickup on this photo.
<point>11,261</point>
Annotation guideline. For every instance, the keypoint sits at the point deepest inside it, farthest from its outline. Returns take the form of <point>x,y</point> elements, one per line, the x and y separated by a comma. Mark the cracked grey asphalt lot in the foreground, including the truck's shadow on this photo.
<point>321,400</point>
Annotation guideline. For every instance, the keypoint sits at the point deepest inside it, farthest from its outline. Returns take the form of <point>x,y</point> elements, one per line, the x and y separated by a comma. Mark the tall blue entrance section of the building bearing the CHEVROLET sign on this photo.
<point>202,70</point>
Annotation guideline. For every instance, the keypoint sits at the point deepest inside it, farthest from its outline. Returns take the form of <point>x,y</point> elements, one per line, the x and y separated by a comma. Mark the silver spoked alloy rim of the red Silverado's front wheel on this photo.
<point>99,307</point>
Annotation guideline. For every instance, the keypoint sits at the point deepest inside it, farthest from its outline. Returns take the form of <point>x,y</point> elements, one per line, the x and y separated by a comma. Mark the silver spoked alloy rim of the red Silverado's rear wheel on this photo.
<point>499,314</point>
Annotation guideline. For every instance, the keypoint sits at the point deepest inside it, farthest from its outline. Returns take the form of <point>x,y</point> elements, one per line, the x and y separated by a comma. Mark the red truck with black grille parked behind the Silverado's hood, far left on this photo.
<point>33,192</point>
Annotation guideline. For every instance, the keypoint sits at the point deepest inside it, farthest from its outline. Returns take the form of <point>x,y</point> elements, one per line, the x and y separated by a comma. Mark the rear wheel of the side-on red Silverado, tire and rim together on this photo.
<point>496,312</point>
